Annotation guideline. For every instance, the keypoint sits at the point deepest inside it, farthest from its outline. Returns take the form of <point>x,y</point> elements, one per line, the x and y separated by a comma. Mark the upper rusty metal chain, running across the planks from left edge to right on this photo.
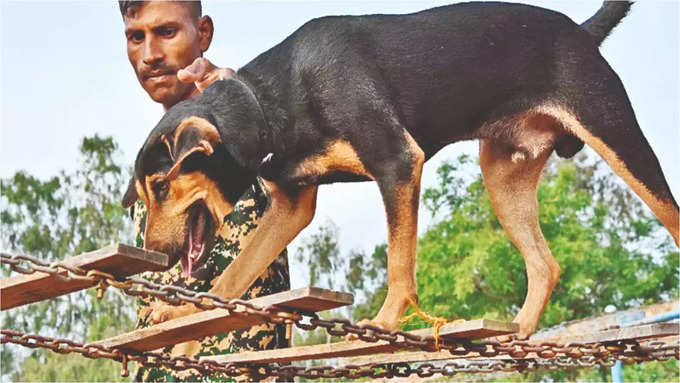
<point>342,327</point>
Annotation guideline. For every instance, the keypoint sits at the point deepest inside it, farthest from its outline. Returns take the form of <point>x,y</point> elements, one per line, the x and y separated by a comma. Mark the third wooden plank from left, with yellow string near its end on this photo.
<point>474,329</point>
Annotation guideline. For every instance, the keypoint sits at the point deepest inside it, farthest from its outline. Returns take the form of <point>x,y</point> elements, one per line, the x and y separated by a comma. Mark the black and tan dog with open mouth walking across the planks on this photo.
<point>372,98</point>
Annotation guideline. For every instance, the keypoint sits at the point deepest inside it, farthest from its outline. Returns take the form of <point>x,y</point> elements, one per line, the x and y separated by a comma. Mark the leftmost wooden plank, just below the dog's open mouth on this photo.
<point>117,259</point>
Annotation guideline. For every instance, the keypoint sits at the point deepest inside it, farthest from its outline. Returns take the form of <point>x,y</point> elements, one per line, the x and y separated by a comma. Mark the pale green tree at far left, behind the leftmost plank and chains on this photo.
<point>68,214</point>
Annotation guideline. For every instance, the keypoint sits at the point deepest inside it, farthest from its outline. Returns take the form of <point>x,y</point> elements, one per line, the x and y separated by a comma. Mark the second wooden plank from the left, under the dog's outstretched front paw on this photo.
<point>211,322</point>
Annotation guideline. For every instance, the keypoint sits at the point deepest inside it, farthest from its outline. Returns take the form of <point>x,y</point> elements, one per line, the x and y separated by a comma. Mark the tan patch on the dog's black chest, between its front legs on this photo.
<point>338,156</point>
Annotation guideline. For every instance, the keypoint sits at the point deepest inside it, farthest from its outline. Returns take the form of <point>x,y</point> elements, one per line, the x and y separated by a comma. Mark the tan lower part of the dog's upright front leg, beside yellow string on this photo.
<point>402,241</point>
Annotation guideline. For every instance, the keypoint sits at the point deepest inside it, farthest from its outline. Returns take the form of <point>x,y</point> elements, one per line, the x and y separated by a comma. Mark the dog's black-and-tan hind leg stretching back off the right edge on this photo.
<point>596,109</point>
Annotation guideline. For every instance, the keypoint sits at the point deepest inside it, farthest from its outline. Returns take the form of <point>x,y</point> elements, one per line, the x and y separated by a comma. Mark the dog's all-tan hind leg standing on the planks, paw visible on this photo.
<point>512,188</point>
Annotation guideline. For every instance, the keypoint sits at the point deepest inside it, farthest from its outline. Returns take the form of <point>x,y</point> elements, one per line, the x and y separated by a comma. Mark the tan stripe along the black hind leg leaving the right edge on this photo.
<point>664,210</point>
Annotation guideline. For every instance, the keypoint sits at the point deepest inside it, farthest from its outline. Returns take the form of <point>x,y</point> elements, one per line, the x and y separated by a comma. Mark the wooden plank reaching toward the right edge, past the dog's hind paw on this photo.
<point>655,330</point>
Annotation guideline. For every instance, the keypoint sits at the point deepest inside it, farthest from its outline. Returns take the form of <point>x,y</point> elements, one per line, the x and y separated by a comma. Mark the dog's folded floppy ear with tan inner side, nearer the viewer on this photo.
<point>194,134</point>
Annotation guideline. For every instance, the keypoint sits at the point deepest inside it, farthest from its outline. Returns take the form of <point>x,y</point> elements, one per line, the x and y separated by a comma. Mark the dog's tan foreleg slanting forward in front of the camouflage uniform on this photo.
<point>282,221</point>
